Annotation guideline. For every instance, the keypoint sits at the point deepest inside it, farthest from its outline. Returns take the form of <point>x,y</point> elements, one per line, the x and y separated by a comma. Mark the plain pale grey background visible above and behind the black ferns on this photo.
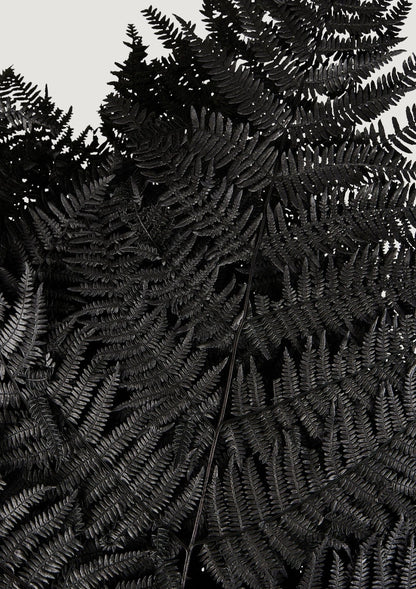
<point>72,46</point>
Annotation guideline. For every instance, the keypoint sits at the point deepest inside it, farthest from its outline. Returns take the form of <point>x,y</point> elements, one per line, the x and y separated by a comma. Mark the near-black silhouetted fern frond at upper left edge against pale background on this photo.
<point>38,156</point>
